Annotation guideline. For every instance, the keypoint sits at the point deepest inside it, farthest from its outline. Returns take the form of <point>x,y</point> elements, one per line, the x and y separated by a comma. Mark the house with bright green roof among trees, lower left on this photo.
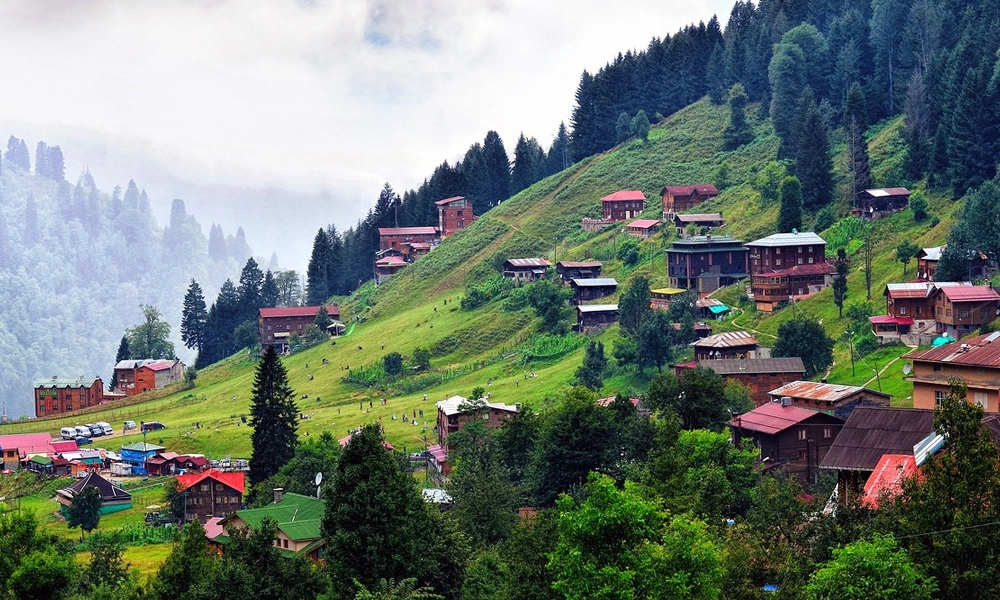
<point>298,518</point>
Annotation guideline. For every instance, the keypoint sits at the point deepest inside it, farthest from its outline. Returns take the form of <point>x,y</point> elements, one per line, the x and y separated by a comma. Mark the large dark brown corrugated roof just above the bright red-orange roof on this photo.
<point>872,431</point>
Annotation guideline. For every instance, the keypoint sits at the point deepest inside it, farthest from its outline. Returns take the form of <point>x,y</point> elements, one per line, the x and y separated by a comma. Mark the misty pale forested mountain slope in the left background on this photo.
<point>78,262</point>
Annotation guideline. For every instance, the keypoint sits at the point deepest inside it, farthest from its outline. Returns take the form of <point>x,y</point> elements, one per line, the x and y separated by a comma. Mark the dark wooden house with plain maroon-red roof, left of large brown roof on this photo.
<point>791,438</point>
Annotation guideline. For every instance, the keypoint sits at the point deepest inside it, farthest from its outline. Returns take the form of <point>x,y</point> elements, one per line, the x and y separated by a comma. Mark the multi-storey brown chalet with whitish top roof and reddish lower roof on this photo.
<point>787,266</point>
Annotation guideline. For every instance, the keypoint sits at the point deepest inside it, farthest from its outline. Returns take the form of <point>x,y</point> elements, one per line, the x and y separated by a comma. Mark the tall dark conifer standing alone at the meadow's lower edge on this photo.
<point>273,417</point>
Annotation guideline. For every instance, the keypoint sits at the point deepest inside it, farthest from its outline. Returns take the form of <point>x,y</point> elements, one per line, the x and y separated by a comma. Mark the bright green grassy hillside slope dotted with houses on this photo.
<point>499,349</point>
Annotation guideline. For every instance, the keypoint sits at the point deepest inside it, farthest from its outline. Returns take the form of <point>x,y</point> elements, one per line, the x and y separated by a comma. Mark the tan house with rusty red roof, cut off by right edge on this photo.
<point>976,362</point>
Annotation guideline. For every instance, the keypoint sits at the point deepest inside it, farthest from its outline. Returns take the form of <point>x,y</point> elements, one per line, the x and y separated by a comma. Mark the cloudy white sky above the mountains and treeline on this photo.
<point>282,116</point>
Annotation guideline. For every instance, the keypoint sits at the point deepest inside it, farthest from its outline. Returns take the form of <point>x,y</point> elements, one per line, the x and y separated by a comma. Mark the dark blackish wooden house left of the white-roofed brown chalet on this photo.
<point>705,263</point>
